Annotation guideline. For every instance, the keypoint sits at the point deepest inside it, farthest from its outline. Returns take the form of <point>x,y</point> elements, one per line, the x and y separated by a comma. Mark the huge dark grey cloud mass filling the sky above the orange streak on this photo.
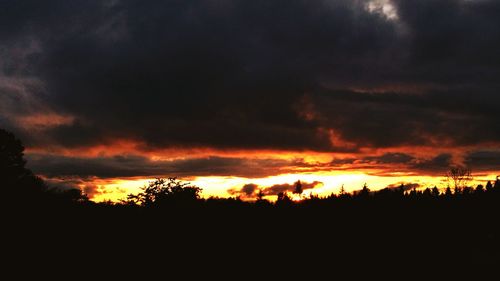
<point>258,74</point>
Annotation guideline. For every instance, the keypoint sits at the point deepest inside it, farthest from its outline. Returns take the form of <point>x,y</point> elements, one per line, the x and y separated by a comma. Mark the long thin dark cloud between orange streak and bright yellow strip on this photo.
<point>54,166</point>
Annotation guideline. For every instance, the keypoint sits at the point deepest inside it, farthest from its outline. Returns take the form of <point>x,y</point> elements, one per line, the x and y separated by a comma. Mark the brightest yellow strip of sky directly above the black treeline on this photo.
<point>219,186</point>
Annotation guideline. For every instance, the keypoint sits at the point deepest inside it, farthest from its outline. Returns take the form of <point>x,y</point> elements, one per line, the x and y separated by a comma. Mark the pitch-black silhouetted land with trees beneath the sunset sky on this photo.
<point>407,229</point>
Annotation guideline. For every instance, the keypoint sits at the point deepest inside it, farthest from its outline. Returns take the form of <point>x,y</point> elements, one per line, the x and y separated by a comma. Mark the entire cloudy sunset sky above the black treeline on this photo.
<point>239,96</point>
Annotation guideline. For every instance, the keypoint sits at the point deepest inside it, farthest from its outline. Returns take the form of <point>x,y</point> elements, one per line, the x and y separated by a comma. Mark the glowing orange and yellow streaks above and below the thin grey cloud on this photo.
<point>306,166</point>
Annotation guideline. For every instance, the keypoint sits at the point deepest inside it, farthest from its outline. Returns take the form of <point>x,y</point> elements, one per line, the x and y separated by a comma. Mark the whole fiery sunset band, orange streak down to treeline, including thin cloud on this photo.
<point>224,173</point>
